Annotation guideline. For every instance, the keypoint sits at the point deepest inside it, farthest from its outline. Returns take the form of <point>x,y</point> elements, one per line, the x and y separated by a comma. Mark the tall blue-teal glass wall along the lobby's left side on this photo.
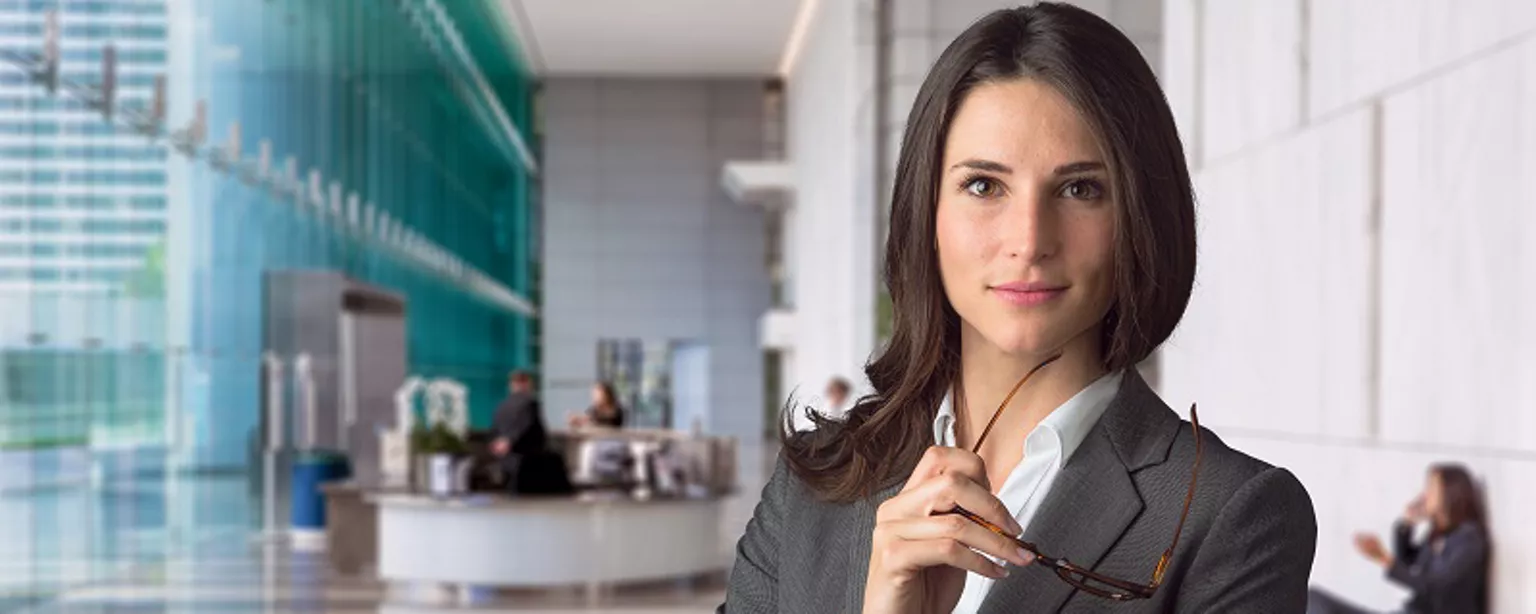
<point>385,140</point>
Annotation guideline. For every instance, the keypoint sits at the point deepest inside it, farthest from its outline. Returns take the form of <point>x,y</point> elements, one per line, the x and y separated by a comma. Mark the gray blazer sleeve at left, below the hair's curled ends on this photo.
<point>755,579</point>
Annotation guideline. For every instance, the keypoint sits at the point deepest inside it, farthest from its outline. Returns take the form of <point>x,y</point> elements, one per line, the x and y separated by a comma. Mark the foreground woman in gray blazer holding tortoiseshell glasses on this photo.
<point>1042,223</point>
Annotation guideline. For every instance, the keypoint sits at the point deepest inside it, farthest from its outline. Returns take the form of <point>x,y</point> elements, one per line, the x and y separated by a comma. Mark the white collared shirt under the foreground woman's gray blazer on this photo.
<point>1047,451</point>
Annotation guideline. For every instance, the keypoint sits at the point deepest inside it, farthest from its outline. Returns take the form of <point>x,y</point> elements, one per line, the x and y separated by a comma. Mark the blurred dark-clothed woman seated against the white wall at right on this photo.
<point>1448,573</point>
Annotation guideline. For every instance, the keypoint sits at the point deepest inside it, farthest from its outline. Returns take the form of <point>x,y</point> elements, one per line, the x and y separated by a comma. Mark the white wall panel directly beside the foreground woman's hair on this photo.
<point>1277,332</point>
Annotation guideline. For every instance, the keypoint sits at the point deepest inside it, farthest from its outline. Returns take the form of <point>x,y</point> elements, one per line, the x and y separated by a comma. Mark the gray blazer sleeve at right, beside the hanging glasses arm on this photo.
<point>1257,555</point>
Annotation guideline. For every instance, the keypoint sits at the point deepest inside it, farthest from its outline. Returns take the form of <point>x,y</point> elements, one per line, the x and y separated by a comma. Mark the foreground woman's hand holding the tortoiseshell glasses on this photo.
<point>921,553</point>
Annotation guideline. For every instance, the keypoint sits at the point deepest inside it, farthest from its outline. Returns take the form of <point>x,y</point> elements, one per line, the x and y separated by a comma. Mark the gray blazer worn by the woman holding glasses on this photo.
<point>1246,547</point>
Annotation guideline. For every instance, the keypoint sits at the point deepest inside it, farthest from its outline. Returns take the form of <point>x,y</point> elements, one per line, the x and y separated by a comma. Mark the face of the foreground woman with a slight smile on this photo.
<point>1027,222</point>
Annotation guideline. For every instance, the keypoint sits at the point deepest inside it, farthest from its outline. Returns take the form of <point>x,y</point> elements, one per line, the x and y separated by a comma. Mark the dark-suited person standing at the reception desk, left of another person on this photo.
<point>523,444</point>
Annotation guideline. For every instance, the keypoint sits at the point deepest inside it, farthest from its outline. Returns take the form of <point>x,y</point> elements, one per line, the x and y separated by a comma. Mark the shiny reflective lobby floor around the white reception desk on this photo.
<point>193,546</point>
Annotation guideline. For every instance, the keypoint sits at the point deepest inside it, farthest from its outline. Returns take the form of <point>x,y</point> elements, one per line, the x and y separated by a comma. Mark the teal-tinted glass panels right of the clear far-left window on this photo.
<point>365,96</point>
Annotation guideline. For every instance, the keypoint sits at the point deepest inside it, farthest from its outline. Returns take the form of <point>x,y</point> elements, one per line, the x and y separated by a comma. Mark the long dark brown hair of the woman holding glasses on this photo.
<point>1105,78</point>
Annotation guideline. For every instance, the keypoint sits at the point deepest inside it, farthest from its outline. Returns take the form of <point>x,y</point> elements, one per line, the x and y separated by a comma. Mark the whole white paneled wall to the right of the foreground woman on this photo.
<point>1366,302</point>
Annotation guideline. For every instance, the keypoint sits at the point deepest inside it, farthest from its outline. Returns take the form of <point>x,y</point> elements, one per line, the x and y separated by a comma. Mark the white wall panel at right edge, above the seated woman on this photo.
<point>1460,269</point>
